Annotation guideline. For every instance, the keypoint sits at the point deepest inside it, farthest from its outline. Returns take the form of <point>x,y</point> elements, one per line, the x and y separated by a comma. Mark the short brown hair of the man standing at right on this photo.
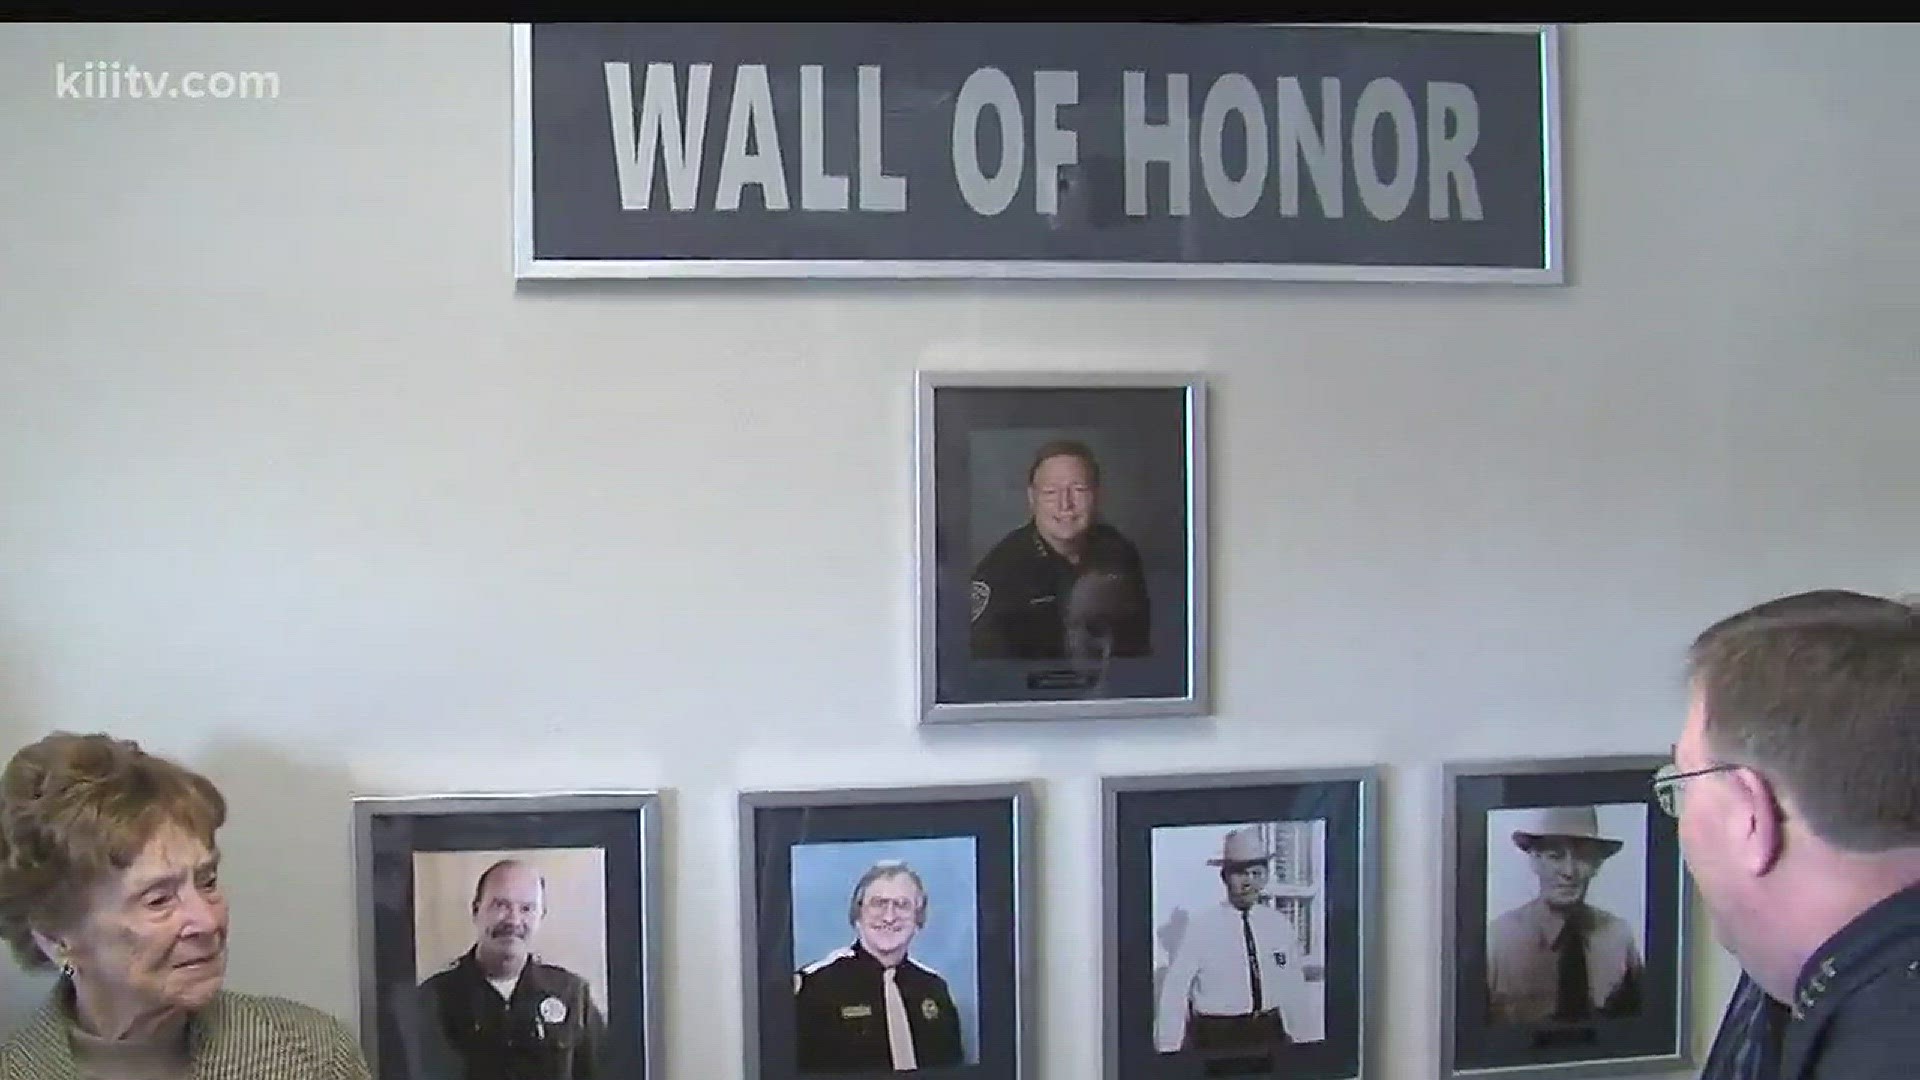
<point>1821,693</point>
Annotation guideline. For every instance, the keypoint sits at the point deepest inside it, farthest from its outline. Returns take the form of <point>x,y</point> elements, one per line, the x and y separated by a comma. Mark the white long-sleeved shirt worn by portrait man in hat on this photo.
<point>1211,973</point>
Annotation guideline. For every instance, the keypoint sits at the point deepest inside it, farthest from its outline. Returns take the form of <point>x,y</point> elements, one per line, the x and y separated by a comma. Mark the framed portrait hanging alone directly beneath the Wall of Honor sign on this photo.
<point>1061,568</point>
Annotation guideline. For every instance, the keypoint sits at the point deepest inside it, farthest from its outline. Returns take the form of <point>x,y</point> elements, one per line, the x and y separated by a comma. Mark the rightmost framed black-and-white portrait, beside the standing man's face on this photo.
<point>1566,921</point>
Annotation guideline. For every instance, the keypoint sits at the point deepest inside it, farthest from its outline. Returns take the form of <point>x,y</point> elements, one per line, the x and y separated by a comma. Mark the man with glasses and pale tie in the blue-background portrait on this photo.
<point>869,1006</point>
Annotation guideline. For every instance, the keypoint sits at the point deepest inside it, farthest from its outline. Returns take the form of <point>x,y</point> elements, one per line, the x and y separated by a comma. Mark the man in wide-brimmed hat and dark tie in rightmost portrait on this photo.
<point>1558,958</point>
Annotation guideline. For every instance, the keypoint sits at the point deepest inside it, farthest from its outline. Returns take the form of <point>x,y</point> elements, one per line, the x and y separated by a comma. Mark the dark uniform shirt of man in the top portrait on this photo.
<point>1020,591</point>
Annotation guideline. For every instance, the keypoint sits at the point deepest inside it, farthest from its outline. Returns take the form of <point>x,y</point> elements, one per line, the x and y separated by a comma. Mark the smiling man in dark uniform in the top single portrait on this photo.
<point>1065,585</point>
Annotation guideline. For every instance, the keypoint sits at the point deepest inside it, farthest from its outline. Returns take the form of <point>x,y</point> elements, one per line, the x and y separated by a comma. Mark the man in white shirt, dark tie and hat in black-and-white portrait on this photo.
<point>1236,977</point>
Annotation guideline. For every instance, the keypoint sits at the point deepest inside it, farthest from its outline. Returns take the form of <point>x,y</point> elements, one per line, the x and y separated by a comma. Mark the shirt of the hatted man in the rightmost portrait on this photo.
<point>1524,964</point>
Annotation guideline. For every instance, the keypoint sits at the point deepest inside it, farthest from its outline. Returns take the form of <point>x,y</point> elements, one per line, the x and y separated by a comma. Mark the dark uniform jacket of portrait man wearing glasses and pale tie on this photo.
<point>842,1016</point>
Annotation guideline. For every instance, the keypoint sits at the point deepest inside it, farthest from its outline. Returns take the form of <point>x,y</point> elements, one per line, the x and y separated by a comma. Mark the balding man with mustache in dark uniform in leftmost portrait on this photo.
<point>498,1012</point>
